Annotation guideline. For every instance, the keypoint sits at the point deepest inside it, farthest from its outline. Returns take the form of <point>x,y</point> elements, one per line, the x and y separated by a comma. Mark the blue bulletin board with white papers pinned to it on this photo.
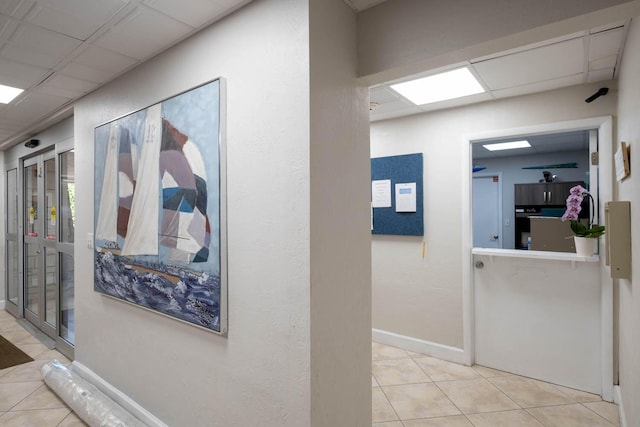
<point>403,172</point>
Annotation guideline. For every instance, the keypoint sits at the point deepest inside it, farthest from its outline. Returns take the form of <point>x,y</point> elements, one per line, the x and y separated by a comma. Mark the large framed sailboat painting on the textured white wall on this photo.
<point>157,205</point>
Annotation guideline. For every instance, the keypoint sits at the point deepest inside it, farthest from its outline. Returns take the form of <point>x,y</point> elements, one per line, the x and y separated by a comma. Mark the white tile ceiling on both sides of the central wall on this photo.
<point>60,50</point>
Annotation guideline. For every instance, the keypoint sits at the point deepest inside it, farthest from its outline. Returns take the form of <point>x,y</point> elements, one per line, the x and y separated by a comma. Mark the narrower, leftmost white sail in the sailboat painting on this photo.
<point>107,225</point>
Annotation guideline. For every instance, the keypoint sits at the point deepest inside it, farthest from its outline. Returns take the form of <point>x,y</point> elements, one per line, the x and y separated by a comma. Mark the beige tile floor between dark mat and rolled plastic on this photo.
<point>25,400</point>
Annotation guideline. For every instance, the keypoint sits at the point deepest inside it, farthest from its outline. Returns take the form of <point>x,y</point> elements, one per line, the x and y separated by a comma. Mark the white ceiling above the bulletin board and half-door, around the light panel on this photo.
<point>586,57</point>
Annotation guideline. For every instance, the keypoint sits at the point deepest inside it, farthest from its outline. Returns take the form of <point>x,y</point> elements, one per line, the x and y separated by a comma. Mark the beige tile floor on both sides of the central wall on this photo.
<point>409,390</point>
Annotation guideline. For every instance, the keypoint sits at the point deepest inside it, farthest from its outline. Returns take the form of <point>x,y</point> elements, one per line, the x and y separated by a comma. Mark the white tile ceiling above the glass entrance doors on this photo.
<point>60,50</point>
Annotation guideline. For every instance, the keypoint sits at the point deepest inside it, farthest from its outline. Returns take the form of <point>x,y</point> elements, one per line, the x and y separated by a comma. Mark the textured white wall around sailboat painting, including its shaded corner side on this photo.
<point>298,351</point>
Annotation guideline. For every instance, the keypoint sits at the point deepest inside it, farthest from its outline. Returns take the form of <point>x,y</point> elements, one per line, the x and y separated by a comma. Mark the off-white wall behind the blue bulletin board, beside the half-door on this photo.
<point>422,298</point>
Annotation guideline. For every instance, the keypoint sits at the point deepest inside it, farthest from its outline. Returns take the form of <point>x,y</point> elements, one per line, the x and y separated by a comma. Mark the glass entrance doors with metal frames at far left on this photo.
<point>40,194</point>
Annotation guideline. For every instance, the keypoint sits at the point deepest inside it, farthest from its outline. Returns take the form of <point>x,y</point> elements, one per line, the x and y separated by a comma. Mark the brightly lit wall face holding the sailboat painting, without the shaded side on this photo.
<point>260,374</point>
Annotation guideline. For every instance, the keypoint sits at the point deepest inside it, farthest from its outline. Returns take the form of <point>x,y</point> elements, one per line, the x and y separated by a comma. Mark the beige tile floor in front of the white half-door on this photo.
<point>414,390</point>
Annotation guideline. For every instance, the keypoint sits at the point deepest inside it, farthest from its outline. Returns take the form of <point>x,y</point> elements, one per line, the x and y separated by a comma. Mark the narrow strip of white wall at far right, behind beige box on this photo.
<point>628,290</point>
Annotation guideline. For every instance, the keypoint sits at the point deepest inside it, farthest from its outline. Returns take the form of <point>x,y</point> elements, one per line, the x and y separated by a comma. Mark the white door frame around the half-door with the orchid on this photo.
<point>604,181</point>
